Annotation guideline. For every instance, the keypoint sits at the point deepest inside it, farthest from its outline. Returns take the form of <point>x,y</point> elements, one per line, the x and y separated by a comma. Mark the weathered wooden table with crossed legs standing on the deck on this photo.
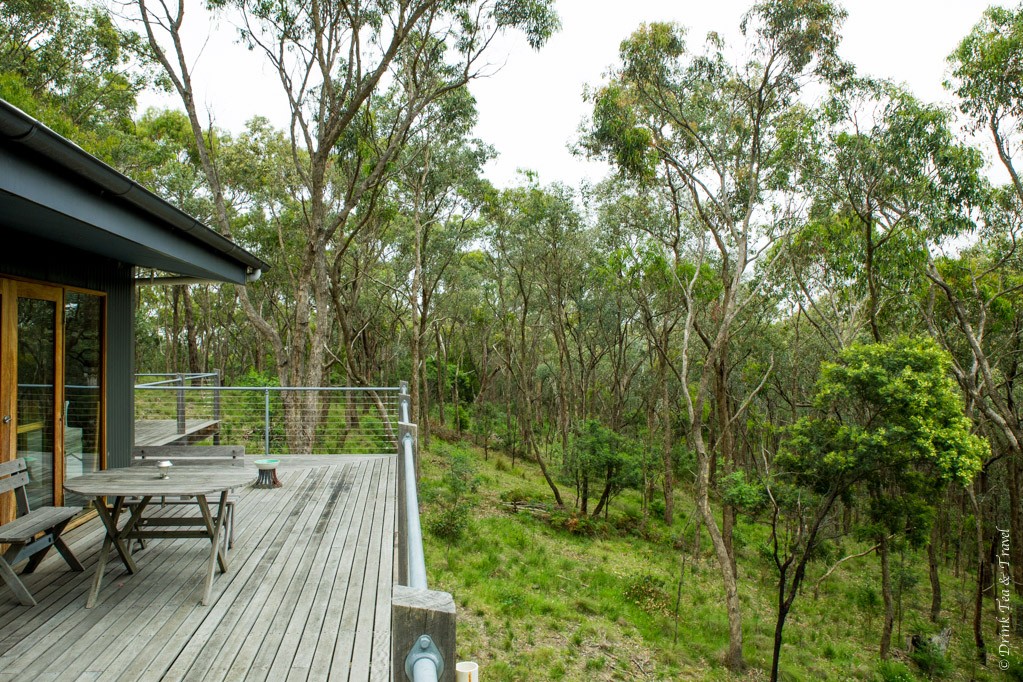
<point>146,484</point>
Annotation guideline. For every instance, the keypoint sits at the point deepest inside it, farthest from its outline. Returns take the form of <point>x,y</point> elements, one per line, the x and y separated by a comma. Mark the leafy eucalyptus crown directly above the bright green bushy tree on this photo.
<point>891,170</point>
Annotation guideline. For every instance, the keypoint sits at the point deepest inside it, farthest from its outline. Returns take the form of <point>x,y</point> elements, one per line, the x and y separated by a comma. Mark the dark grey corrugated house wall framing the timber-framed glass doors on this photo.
<point>31,258</point>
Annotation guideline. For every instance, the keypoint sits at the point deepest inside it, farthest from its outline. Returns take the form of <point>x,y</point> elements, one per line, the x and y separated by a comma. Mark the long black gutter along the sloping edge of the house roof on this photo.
<point>18,126</point>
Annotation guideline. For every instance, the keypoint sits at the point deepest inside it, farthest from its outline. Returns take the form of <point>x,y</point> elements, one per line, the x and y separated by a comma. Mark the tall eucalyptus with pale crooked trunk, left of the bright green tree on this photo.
<point>716,139</point>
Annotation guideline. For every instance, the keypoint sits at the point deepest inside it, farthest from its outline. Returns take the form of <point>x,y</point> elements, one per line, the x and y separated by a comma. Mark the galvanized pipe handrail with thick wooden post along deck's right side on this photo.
<point>423,621</point>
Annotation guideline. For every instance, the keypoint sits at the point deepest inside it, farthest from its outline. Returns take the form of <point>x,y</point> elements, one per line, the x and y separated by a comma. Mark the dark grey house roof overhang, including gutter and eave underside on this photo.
<point>53,189</point>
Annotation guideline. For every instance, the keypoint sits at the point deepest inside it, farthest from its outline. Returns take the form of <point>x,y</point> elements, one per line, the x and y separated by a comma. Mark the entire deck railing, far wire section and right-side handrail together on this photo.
<point>374,421</point>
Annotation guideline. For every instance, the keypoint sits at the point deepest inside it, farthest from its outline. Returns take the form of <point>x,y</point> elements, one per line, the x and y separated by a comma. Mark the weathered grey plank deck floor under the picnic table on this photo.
<point>308,596</point>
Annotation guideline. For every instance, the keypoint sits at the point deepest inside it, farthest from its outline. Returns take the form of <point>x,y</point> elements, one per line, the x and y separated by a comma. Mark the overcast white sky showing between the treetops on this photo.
<point>531,109</point>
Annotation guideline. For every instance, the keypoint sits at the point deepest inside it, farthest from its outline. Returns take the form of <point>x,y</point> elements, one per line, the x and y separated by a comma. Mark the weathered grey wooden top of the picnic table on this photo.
<point>147,481</point>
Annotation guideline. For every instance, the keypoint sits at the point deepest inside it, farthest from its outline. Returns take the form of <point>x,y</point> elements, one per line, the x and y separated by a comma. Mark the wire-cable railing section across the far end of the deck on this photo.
<point>273,421</point>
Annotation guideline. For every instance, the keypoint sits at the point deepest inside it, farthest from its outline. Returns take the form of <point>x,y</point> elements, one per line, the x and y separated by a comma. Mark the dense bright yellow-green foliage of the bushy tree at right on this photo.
<point>885,408</point>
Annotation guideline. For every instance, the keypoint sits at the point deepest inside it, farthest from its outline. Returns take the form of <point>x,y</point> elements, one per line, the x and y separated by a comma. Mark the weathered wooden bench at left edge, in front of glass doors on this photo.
<point>47,523</point>
